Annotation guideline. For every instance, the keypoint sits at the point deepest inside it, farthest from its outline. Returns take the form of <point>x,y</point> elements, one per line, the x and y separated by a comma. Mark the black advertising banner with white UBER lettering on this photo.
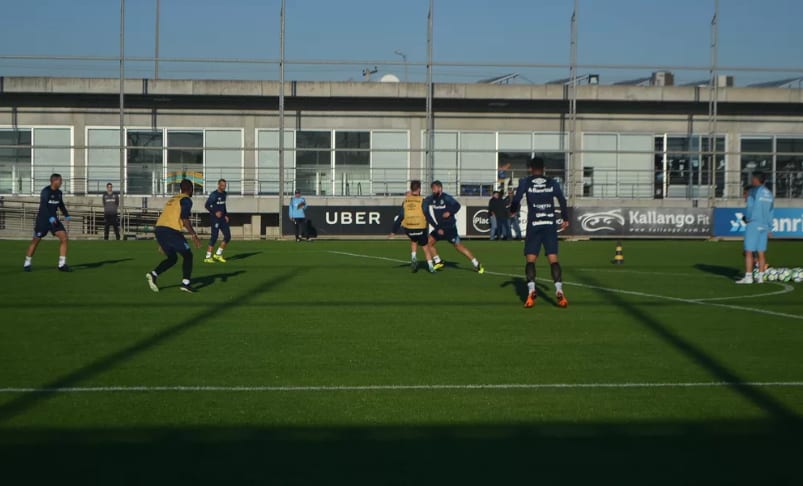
<point>346,220</point>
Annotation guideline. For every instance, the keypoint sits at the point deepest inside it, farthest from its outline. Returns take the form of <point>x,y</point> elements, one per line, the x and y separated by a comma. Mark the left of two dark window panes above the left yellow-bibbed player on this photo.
<point>144,167</point>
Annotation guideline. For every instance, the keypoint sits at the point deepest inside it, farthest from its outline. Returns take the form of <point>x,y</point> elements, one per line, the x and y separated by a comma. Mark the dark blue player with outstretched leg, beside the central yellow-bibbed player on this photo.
<point>440,209</point>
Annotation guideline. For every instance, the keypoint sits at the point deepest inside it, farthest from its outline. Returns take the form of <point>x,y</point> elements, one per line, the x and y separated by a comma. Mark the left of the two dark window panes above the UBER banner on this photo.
<point>314,162</point>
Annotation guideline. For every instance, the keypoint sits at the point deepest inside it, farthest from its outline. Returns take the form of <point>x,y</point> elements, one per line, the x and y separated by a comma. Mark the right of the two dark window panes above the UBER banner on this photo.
<point>352,163</point>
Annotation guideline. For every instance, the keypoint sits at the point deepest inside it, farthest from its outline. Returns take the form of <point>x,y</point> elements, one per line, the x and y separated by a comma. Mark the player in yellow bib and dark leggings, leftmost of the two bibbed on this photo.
<point>174,218</point>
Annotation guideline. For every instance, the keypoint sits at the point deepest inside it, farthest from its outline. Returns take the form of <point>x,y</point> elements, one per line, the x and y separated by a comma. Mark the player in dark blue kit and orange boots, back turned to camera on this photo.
<point>543,223</point>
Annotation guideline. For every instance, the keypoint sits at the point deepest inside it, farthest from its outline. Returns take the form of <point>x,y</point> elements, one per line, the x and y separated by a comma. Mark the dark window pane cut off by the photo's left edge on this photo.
<point>15,161</point>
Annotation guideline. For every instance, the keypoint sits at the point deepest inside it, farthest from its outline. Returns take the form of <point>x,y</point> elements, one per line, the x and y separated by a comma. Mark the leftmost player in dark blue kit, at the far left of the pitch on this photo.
<point>47,221</point>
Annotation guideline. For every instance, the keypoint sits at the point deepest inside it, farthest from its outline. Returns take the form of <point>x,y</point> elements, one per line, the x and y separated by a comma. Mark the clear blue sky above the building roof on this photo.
<point>668,32</point>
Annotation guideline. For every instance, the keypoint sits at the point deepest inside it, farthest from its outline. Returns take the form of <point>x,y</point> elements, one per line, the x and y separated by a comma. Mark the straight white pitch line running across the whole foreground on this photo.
<point>381,388</point>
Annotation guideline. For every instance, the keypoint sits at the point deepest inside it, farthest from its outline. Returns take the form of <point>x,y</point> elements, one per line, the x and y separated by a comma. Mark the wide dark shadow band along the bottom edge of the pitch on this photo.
<point>638,452</point>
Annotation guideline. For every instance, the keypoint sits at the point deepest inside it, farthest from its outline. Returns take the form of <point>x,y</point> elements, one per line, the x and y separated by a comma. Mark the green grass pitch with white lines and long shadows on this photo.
<point>331,362</point>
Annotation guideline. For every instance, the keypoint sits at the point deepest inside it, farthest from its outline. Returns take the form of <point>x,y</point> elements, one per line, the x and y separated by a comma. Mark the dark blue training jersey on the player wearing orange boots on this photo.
<point>541,192</point>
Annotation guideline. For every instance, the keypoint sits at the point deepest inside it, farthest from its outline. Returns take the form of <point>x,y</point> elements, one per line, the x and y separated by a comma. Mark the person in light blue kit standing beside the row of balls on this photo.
<point>758,216</point>
